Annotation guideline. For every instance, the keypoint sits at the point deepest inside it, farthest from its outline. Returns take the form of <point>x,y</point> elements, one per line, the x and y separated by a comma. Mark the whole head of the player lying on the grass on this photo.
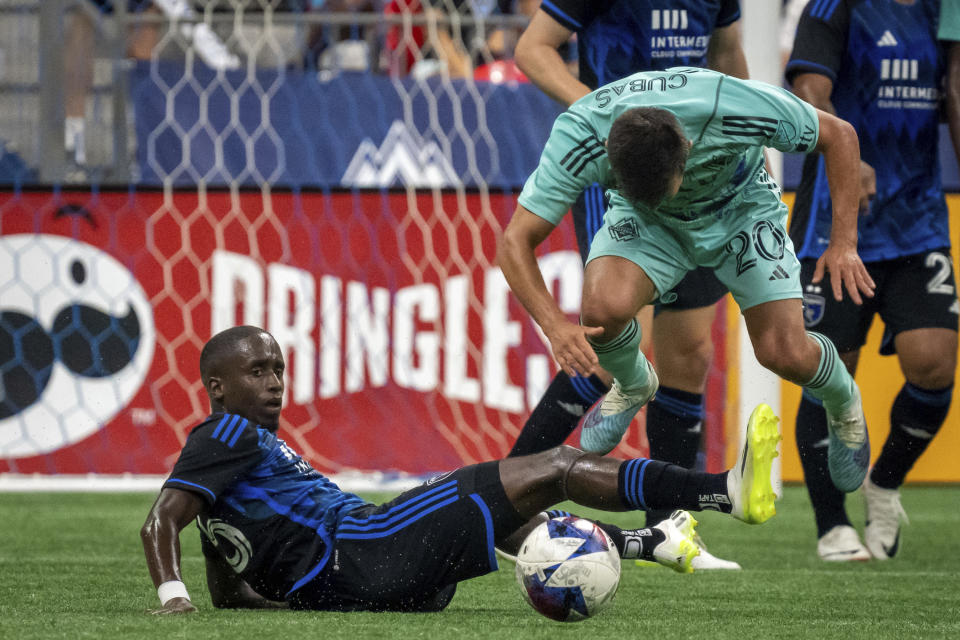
<point>242,371</point>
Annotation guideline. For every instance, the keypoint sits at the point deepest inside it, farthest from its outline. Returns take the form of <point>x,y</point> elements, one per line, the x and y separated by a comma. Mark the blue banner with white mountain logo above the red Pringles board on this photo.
<point>294,129</point>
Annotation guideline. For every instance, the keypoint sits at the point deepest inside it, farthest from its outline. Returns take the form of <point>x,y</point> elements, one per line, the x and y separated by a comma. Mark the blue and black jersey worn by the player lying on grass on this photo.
<point>270,514</point>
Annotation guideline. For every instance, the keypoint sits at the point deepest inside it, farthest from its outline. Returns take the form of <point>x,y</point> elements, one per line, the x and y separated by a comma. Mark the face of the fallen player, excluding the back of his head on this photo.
<point>252,380</point>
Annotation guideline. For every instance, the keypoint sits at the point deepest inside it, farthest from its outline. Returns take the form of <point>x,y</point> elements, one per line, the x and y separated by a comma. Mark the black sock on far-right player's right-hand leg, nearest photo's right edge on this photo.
<point>916,416</point>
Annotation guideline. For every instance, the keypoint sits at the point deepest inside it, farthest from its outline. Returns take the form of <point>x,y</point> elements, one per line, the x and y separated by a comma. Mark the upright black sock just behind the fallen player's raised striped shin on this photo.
<point>674,427</point>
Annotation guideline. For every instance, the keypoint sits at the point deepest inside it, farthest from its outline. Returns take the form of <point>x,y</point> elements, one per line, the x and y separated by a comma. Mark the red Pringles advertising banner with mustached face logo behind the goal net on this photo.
<point>405,350</point>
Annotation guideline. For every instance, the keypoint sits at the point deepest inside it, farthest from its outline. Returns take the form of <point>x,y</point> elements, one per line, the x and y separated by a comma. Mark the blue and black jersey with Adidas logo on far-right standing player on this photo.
<point>887,67</point>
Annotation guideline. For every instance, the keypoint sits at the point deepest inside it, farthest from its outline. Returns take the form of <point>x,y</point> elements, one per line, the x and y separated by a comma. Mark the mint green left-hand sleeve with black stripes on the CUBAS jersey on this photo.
<point>571,161</point>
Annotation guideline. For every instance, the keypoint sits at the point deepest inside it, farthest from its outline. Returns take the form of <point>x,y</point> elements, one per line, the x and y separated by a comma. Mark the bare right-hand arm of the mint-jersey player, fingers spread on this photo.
<point>840,147</point>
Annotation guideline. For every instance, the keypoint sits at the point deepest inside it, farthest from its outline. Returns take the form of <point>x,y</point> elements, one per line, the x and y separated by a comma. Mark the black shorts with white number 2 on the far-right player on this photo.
<point>913,292</point>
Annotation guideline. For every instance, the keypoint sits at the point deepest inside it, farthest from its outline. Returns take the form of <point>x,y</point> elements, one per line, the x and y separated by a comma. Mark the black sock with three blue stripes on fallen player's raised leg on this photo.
<point>650,484</point>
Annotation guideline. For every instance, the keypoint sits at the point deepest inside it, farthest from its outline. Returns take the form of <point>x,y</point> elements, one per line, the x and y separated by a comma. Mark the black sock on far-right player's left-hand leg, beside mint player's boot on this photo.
<point>827,500</point>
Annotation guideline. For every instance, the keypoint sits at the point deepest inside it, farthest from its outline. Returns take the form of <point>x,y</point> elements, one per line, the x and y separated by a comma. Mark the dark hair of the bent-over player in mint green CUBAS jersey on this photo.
<point>647,149</point>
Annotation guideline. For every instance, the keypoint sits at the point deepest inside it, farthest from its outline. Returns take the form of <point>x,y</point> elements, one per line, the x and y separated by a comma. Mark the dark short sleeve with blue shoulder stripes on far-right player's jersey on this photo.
<point>820,40</point>
